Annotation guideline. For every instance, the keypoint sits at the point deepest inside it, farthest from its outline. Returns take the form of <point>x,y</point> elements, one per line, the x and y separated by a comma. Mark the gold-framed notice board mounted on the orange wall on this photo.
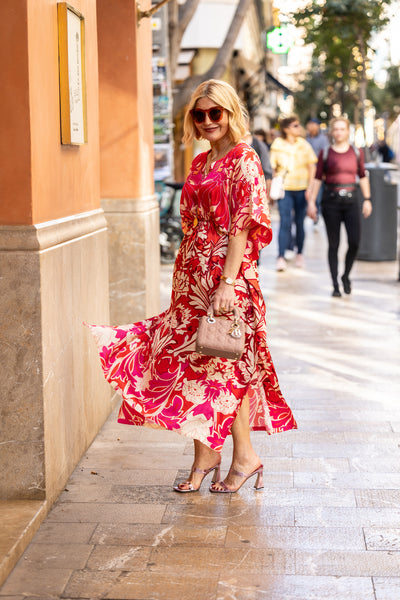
<point>71,57</point>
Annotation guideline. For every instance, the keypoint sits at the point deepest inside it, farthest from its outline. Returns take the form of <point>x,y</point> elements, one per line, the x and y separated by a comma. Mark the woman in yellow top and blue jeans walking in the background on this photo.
<point>292,157</point>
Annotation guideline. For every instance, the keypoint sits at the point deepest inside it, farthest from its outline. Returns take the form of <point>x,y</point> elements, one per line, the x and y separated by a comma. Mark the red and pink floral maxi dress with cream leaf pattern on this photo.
<point>153,364</point>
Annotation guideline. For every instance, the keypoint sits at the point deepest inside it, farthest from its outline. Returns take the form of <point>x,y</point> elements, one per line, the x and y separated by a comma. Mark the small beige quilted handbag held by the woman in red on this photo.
<point>221,336</point>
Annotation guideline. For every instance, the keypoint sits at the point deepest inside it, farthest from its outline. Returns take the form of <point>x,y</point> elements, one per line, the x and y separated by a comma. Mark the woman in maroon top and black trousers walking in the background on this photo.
<point>339,167</point>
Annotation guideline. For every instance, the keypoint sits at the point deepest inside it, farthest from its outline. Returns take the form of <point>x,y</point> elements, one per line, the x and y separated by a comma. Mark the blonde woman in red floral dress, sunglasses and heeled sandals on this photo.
<point>163,381</point>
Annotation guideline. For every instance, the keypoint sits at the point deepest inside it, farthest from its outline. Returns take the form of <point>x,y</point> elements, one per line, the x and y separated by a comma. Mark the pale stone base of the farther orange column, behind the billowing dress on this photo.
<point>134,258</point>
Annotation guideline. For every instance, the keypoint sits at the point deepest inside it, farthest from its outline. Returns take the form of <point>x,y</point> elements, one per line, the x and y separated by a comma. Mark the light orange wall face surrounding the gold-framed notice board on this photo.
<point>64,178</point>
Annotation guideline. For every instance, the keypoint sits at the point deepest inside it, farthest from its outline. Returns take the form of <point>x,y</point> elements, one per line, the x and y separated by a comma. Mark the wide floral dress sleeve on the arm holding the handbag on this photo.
<point>249,204</point>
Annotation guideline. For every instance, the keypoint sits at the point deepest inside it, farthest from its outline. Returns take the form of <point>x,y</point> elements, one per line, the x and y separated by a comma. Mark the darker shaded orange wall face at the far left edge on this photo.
<point>15,153</point>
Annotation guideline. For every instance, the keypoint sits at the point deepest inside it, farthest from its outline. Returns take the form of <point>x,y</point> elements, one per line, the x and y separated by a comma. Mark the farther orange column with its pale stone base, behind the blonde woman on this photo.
<point>126,160</point>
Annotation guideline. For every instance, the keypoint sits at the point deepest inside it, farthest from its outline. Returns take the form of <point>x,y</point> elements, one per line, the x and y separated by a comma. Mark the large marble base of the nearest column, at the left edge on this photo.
<point>54,399</point>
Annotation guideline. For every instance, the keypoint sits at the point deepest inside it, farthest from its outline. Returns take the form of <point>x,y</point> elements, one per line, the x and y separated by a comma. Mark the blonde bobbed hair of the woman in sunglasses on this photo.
<point>224,95</point>
